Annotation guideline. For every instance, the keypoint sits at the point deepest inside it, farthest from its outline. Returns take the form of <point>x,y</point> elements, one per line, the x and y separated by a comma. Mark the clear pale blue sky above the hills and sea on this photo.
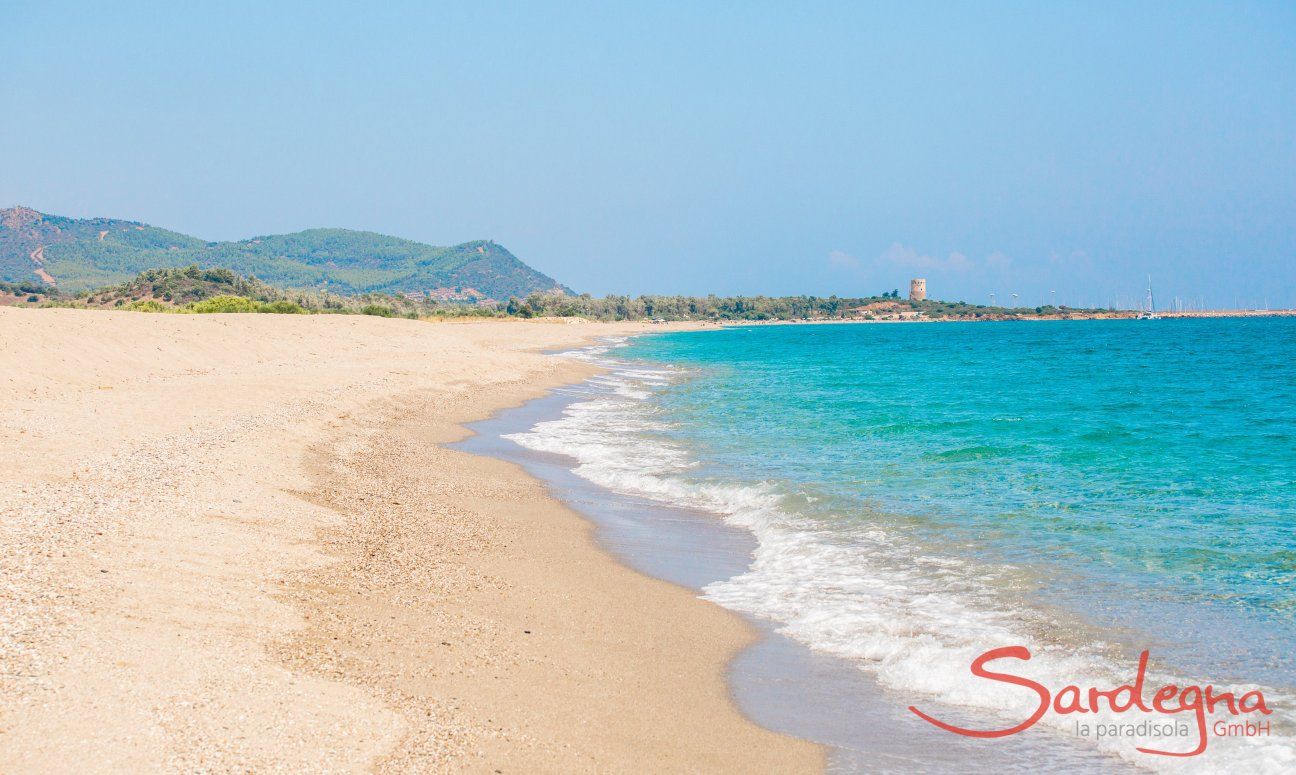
<point>691,147</point>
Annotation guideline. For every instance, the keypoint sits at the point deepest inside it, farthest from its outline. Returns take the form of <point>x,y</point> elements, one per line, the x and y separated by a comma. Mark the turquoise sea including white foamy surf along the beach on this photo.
<point>921,494</point>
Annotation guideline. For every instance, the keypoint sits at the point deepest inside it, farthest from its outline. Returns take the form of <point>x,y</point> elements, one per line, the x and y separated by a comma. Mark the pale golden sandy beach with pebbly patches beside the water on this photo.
<point>237,542</point>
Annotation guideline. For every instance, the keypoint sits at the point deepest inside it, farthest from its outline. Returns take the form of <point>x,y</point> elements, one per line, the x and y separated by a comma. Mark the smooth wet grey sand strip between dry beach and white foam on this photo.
<point>777,681</point>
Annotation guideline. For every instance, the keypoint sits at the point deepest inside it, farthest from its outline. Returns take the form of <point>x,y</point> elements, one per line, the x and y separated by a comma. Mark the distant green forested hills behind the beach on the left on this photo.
<point>78,255</point>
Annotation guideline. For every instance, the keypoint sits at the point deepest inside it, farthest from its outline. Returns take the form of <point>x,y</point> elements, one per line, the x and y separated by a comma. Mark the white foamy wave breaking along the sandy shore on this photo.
<point>868,592</point>
